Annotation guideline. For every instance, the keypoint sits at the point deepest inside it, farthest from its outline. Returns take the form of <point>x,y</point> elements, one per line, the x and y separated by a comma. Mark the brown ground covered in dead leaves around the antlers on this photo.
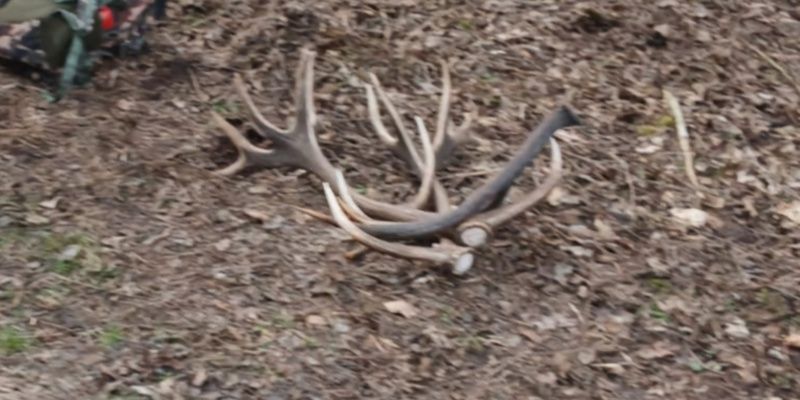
<point>130,271</point>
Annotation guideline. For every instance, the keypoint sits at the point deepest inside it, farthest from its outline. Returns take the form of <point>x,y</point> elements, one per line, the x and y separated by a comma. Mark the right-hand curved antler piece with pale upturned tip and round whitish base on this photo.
<point>477,231</point>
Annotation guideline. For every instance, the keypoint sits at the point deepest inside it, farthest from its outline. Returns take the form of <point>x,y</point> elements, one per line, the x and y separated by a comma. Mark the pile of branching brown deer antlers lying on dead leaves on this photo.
<point>383,226</point>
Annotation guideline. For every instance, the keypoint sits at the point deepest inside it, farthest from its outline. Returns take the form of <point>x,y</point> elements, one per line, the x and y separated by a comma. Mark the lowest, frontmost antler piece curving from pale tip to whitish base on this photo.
<point>460,259</point>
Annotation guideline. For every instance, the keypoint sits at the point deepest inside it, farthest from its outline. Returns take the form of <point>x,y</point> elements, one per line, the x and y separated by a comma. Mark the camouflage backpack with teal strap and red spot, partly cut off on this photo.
<point>66,35</point>
